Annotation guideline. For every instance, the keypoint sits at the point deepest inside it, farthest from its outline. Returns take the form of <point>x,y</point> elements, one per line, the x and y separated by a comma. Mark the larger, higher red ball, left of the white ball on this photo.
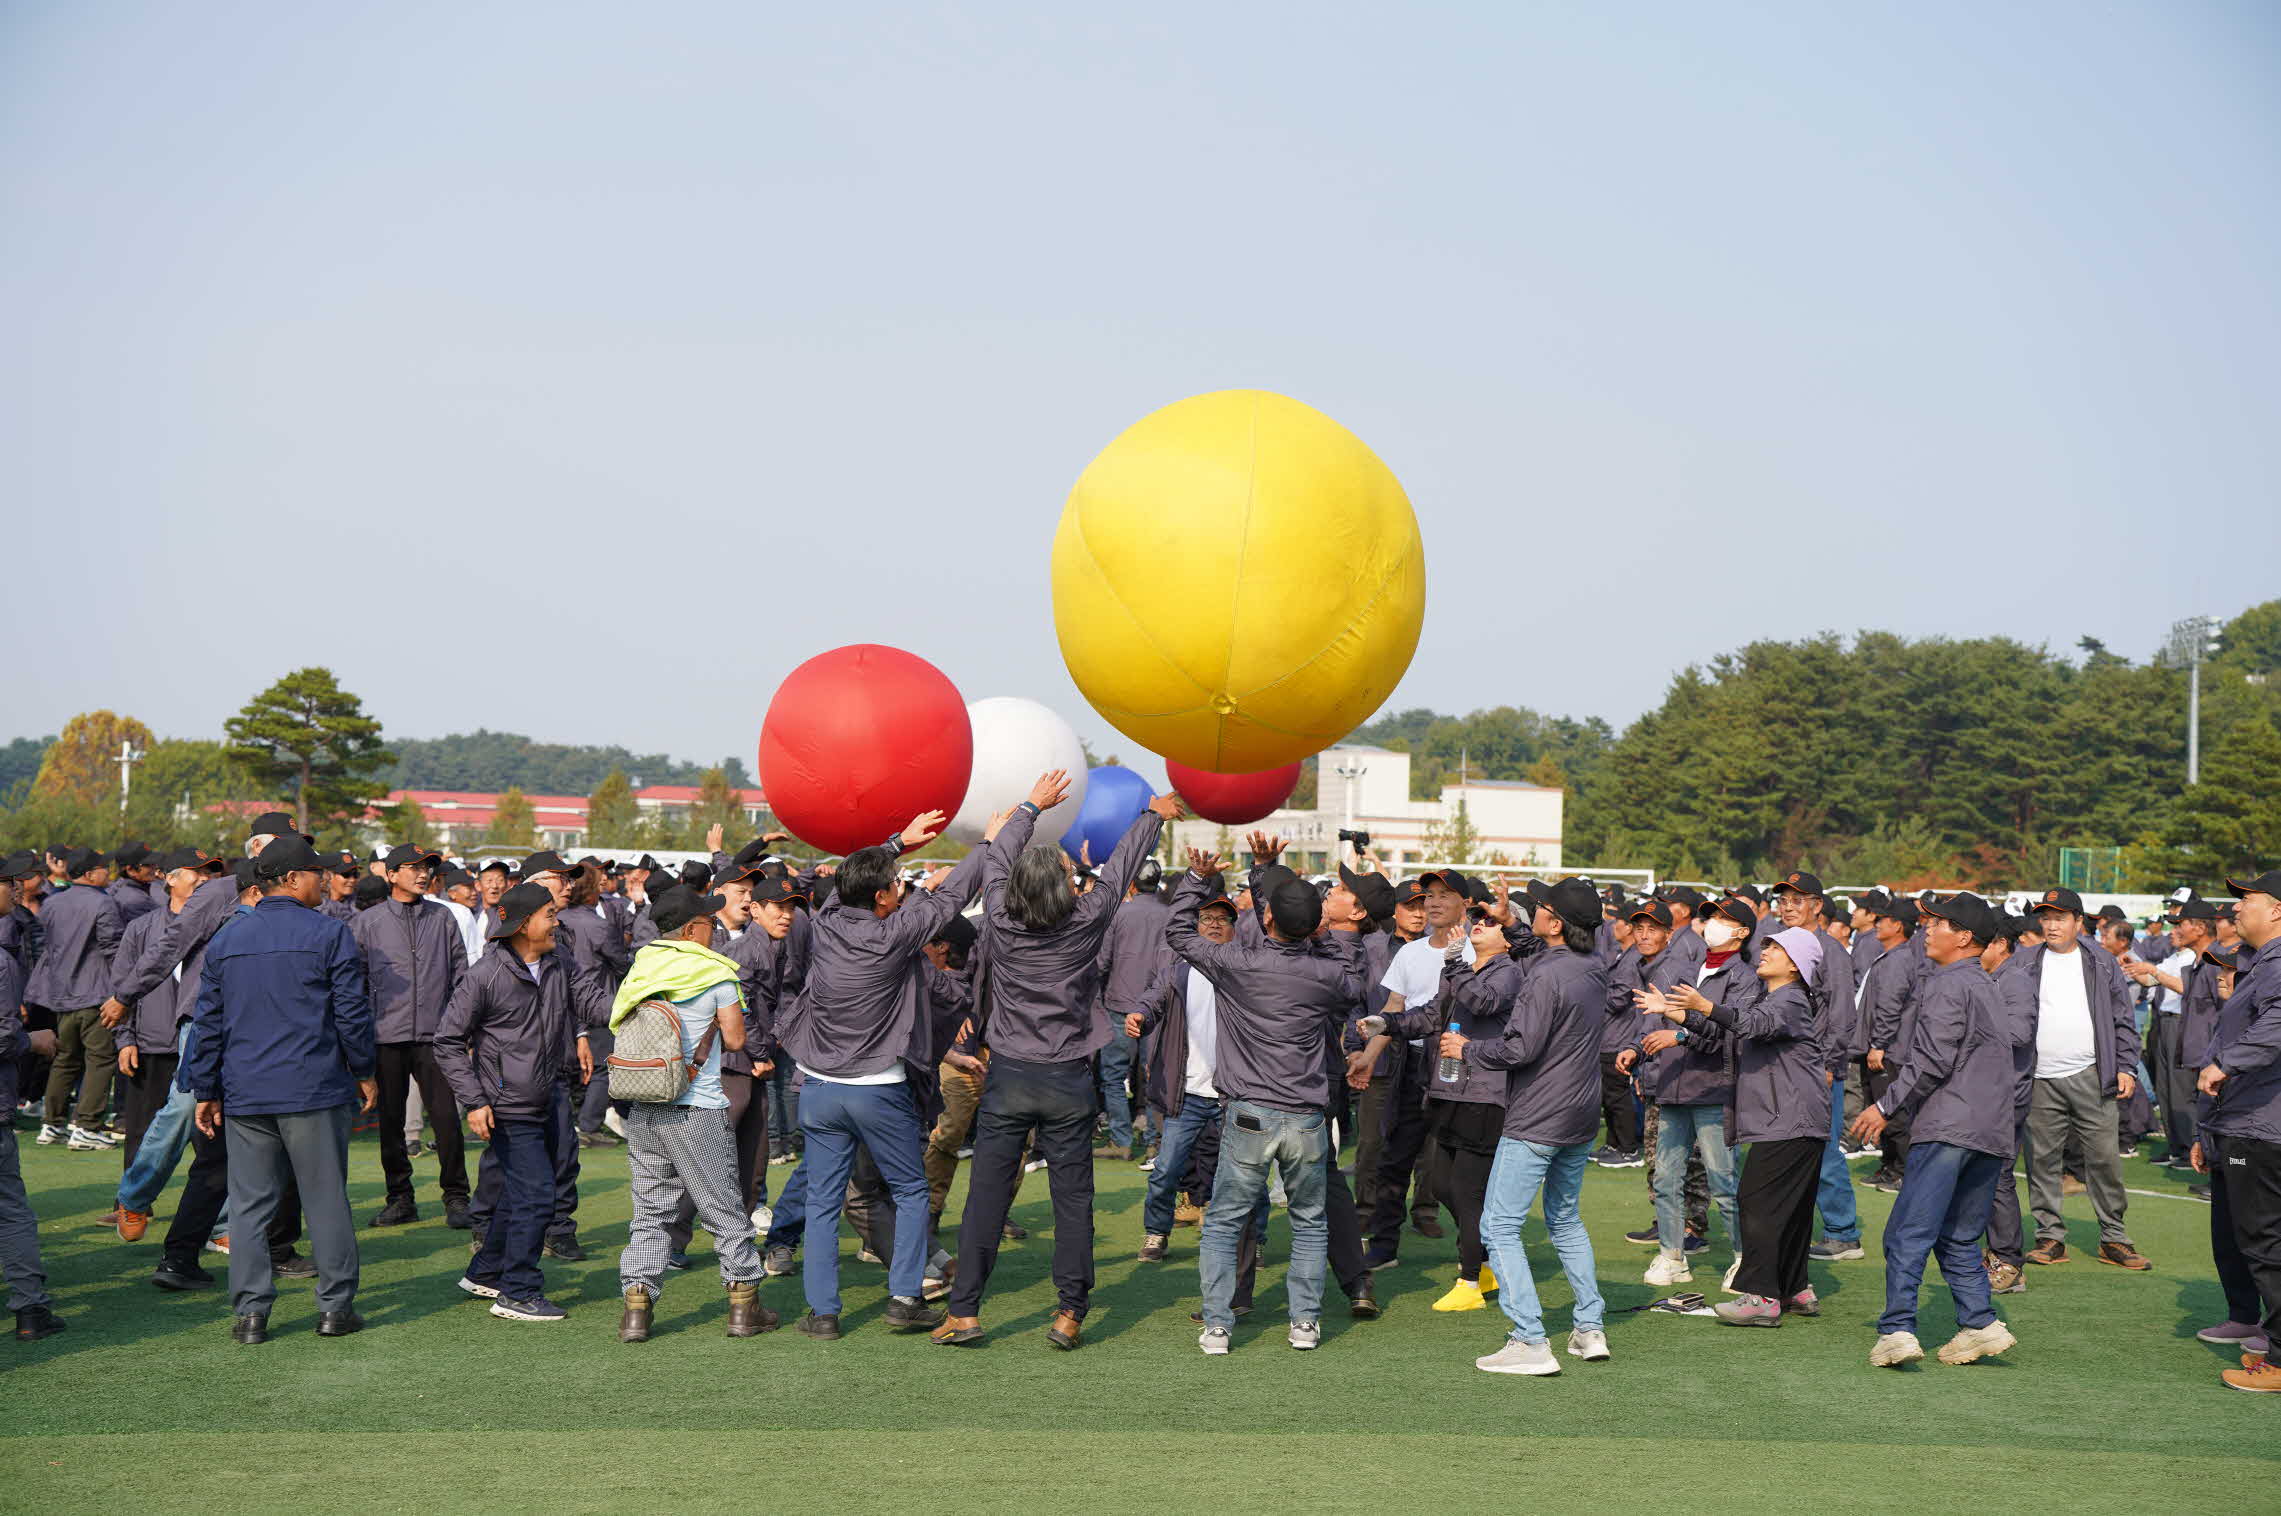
<point>859,742</point>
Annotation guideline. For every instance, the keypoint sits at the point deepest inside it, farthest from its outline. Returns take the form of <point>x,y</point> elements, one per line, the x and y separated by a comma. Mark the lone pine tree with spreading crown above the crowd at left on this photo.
<point>309,737</point>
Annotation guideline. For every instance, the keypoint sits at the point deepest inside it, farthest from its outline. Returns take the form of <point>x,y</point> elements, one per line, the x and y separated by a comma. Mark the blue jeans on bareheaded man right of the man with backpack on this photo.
<point>886,1120</point>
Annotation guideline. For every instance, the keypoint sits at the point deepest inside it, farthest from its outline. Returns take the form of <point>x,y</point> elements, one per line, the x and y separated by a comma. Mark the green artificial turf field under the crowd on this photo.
<point>2109,1403</point>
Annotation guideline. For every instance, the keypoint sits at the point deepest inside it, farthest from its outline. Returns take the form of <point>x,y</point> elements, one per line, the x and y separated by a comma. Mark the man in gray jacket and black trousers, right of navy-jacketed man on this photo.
<point>414,961</point>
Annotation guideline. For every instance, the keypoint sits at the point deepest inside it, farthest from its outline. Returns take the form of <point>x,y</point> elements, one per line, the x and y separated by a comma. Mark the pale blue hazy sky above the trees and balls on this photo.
<point>711,336</point>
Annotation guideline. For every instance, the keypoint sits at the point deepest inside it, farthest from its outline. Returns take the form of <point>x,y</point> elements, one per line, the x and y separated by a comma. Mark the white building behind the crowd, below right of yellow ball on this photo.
<point>1367,790</point>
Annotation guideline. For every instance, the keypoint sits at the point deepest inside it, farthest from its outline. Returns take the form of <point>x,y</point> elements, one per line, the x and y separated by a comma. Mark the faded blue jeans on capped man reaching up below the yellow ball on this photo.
<point>1258,1141</point>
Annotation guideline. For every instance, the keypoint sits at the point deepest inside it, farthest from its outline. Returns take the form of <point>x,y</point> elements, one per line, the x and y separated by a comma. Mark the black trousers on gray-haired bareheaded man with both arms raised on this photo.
<point>1057,1102</point>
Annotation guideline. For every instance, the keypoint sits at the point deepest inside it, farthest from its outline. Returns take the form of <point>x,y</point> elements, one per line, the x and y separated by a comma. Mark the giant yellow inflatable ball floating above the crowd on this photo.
<point>1237,582</point>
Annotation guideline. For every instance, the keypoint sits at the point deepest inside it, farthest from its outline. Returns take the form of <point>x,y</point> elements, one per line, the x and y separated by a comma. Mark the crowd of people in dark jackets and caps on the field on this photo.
<point>877,1027</point>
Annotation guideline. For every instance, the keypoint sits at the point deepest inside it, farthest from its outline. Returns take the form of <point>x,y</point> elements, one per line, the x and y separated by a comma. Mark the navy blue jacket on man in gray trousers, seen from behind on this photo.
<point>284,1022</point>
